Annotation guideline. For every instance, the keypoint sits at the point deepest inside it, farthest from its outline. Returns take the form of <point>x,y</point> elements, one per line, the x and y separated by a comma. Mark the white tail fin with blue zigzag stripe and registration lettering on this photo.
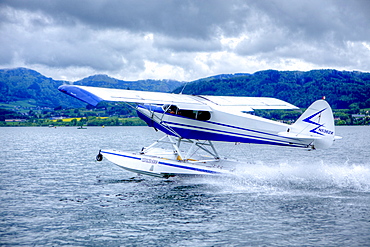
<point>315,124</point>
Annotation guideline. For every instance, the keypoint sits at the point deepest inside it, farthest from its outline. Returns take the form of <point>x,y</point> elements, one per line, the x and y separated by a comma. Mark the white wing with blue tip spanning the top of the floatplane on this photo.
<point>94,95</point>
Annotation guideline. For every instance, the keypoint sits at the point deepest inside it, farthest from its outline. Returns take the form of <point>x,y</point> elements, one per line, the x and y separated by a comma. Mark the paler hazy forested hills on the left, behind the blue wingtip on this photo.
<point>23,84</point>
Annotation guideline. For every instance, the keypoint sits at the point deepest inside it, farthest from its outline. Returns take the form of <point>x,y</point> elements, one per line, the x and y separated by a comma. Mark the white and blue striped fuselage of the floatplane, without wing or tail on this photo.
<point>216,125</point>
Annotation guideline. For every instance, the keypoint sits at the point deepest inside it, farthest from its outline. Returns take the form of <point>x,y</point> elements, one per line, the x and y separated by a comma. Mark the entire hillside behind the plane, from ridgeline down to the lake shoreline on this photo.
<point>28,95</point>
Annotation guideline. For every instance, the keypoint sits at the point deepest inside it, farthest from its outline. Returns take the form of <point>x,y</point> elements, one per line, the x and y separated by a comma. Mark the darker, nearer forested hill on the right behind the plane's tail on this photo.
<point>341,88</point>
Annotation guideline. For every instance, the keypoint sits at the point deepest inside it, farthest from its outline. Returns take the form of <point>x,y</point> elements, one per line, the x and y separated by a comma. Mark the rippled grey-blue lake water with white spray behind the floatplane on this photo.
<point>53,192</point>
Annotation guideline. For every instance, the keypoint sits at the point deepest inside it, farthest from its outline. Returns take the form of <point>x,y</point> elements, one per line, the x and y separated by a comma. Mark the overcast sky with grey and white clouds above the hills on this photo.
<point>182,39</point>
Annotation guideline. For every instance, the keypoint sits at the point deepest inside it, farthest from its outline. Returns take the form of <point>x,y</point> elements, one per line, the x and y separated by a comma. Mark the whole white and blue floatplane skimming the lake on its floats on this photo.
<point>200,120</point>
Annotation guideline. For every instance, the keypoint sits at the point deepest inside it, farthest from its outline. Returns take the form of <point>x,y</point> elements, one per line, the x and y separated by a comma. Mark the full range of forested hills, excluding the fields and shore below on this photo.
<point>343,89</point>
